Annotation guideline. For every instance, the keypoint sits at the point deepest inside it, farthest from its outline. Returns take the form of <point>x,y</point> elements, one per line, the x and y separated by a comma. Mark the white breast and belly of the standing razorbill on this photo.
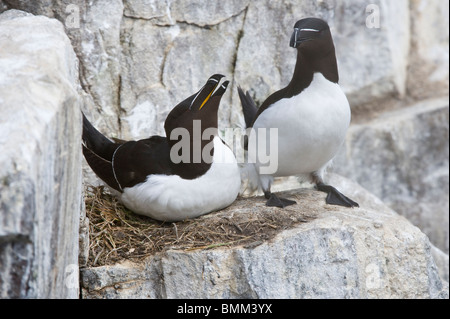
<point>311,128</point>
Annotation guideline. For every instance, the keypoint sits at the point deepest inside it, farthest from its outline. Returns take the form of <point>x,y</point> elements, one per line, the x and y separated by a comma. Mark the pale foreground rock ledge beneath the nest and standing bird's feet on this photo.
<point>369,252</point>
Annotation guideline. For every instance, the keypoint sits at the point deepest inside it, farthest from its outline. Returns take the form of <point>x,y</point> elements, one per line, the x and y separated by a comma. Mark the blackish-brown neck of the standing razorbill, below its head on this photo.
<point>307,65</point>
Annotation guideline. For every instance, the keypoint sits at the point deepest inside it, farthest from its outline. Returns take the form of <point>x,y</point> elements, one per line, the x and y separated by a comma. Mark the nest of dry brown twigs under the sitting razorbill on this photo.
<point>116,233</point>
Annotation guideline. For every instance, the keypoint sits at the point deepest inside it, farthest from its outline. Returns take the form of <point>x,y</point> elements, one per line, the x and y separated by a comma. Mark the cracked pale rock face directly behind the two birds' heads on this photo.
<point>139,58</point>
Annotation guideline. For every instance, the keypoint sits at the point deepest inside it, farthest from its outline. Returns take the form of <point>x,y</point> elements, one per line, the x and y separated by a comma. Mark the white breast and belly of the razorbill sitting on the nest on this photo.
<point>172,198</point>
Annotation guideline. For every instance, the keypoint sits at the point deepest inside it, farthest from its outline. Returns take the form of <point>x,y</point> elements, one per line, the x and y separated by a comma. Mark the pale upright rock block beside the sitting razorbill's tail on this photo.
<point>40,163</point>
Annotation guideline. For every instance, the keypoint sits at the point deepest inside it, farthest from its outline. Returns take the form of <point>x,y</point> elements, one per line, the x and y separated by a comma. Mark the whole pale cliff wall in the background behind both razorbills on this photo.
<point>132,74</point>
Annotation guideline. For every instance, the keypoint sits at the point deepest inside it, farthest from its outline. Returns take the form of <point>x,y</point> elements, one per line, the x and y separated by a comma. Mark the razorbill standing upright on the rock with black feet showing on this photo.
<point>311,114</point>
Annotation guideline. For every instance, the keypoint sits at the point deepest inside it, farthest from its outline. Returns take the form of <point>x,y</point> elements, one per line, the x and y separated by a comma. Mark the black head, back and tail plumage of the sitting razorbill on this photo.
<point>127,164</point>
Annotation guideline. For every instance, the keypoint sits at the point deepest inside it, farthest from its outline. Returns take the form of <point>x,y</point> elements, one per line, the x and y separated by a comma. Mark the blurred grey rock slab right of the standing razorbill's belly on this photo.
<point>408,166</point>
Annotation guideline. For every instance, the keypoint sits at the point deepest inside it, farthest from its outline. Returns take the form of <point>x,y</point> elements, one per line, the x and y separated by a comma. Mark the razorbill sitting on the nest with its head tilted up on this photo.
<point>188,173</point>
